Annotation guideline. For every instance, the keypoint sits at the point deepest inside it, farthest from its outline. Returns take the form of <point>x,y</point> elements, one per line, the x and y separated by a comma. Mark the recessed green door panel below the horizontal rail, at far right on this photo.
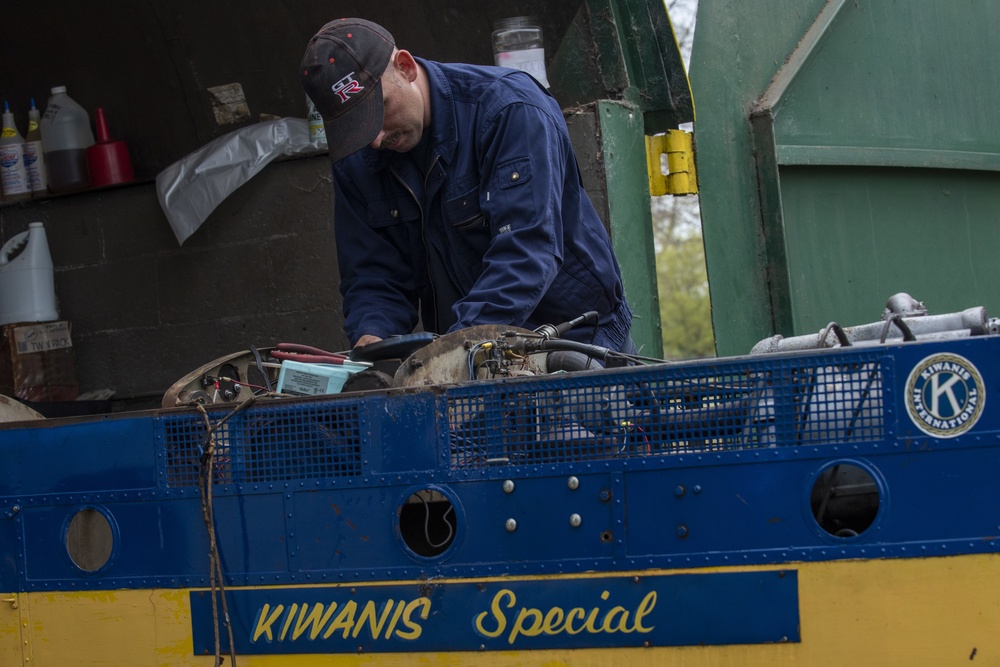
<point>879,231</point>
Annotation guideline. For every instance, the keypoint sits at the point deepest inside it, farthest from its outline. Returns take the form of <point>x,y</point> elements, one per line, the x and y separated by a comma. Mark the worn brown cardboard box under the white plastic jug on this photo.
<point>37,362</point>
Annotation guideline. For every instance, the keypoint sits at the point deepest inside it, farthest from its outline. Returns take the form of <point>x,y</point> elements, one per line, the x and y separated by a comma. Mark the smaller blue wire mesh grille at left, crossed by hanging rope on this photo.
<point>267,444</point>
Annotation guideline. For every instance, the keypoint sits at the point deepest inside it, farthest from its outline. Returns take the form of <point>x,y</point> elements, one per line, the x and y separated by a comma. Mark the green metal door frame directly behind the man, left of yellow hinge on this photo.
<point>620,58</point>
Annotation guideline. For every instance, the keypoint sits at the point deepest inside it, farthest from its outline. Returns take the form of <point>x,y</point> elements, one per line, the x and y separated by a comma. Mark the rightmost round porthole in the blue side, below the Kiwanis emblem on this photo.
<point>845,500</point>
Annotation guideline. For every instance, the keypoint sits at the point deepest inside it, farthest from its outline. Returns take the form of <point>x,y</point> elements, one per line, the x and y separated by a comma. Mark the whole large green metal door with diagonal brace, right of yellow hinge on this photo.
<point>847,150</point>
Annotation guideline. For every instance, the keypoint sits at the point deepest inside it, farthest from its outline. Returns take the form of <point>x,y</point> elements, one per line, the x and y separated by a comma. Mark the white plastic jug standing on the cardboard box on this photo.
<point>27,284</point>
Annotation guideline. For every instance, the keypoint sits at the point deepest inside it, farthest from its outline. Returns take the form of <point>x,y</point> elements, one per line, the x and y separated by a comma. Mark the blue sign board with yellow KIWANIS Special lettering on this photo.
<point>514,615</point>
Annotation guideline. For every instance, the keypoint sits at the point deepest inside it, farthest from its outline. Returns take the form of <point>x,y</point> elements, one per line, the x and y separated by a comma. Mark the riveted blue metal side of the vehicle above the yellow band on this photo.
<point>699,464</point>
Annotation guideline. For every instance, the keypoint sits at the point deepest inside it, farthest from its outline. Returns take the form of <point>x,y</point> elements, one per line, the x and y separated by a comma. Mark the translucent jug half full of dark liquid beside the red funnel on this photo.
<point>66,135</point>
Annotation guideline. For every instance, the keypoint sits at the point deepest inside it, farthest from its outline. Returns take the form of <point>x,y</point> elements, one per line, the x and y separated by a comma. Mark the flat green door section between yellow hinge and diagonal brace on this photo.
<point>737,50</point>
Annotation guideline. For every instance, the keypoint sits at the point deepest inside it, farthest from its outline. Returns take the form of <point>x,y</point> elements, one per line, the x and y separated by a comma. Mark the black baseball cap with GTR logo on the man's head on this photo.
<point>342,74</point>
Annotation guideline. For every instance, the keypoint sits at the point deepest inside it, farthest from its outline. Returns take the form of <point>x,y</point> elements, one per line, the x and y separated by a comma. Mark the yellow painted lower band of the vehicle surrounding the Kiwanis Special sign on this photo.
<point>932,611</point>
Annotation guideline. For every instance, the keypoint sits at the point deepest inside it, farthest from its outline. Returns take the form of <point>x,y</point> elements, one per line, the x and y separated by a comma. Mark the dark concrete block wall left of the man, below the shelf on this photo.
<point>146,311</point>
